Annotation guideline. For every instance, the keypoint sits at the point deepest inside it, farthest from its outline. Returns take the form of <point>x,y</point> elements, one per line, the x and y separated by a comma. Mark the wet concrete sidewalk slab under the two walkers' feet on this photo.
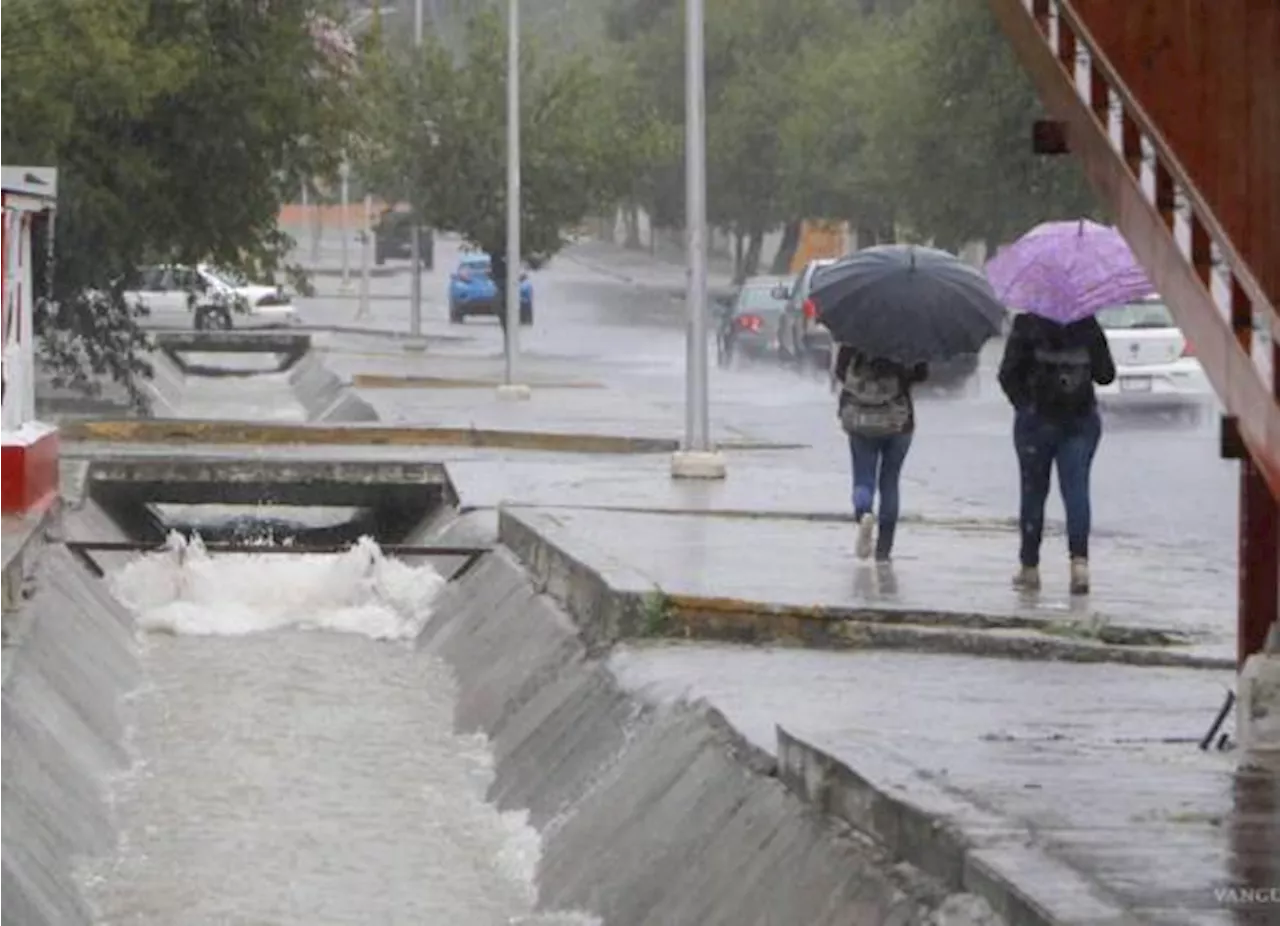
<point>947,576</point>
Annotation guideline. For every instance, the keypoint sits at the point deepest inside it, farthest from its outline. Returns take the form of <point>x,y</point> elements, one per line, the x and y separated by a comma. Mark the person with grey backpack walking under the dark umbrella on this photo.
<point>877,413</point>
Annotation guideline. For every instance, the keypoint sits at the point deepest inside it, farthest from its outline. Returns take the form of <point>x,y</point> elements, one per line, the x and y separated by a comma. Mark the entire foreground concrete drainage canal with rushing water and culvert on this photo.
<point>291,726</point>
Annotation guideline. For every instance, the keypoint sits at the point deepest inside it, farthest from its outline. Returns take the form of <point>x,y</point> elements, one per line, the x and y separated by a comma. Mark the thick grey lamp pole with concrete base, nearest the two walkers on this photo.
<point>697,459</point>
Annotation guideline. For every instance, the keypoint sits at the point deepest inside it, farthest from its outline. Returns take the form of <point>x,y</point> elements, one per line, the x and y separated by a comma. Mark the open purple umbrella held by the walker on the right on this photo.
<point>1068,271</point>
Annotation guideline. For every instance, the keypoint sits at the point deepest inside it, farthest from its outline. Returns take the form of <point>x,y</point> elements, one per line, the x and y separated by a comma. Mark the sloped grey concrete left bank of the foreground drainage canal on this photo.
<point>70,658</point>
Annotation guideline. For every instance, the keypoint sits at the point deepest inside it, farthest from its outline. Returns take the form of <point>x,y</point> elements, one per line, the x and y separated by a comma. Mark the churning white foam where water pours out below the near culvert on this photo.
<point>186,591</point>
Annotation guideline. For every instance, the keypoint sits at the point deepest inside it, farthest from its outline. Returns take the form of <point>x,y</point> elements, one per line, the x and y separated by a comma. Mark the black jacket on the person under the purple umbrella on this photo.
<point>1018,371</point>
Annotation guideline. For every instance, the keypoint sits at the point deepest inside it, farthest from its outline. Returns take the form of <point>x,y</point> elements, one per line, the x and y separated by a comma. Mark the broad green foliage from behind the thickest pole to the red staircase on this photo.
<point>908,115</point>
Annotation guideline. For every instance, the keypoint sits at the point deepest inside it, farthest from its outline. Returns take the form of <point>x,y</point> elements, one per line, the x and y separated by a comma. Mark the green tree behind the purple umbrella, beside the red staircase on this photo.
<point>948,131</point>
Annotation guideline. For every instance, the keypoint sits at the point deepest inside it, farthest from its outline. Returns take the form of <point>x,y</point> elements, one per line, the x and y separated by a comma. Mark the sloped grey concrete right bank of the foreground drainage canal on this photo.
<point>650,816</point>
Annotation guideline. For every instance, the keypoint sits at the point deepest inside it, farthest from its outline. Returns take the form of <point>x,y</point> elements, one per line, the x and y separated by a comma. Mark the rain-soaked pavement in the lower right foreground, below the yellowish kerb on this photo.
<point>1092,767</point>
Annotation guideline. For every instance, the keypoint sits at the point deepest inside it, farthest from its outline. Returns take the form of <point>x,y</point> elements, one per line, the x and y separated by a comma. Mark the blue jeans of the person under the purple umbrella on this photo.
<point>1041,443</point>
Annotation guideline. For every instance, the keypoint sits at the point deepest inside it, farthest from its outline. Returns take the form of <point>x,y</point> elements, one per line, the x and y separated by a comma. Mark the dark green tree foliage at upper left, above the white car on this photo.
<point>179,127</point>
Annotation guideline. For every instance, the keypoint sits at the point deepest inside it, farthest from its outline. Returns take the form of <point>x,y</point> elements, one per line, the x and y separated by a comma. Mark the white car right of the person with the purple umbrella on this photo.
<point>1156,368</point>
